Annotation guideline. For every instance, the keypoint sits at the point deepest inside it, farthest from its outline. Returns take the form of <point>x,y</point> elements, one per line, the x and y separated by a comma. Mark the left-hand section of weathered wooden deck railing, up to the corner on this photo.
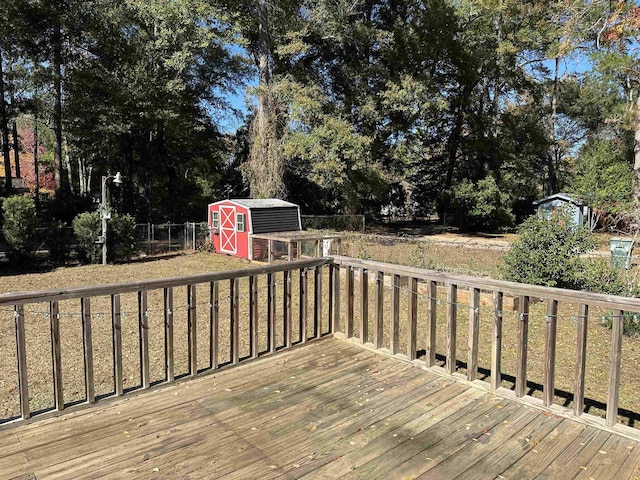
<point>270,298</point>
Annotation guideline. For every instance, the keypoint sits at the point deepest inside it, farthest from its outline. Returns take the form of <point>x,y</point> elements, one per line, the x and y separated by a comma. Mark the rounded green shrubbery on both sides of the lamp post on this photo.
<point>87,227</point>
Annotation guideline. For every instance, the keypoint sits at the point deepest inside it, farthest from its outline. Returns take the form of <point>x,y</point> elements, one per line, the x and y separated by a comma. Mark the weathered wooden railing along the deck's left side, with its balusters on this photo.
<point>16,304</point>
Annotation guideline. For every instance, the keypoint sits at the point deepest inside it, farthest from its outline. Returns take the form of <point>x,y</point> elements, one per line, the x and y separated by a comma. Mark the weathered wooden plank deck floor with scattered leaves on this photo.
<point>329,409</point>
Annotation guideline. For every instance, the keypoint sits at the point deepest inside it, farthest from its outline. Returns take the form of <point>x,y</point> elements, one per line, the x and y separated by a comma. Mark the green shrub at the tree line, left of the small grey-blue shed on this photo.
<point>481,206</point>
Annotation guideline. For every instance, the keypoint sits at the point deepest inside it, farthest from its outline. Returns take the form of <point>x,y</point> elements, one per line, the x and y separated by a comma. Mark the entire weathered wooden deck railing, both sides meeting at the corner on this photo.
<point>128,337</point>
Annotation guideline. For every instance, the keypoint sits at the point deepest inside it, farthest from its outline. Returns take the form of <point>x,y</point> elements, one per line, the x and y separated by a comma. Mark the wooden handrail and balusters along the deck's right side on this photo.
<point>397,276</point>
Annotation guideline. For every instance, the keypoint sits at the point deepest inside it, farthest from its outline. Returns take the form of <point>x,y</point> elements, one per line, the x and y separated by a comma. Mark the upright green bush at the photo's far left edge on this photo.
<point>19,223</point>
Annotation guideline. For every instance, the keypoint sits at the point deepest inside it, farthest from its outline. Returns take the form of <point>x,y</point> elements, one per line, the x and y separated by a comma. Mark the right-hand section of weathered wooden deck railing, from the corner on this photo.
<point>440,294</point>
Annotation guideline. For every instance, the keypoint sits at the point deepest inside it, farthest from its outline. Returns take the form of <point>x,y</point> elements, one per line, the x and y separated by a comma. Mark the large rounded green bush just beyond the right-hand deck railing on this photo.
<point>548,252</point>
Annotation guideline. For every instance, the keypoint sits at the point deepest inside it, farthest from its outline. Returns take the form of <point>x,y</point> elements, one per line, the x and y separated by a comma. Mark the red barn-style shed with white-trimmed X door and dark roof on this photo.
<point>232,222</point>
